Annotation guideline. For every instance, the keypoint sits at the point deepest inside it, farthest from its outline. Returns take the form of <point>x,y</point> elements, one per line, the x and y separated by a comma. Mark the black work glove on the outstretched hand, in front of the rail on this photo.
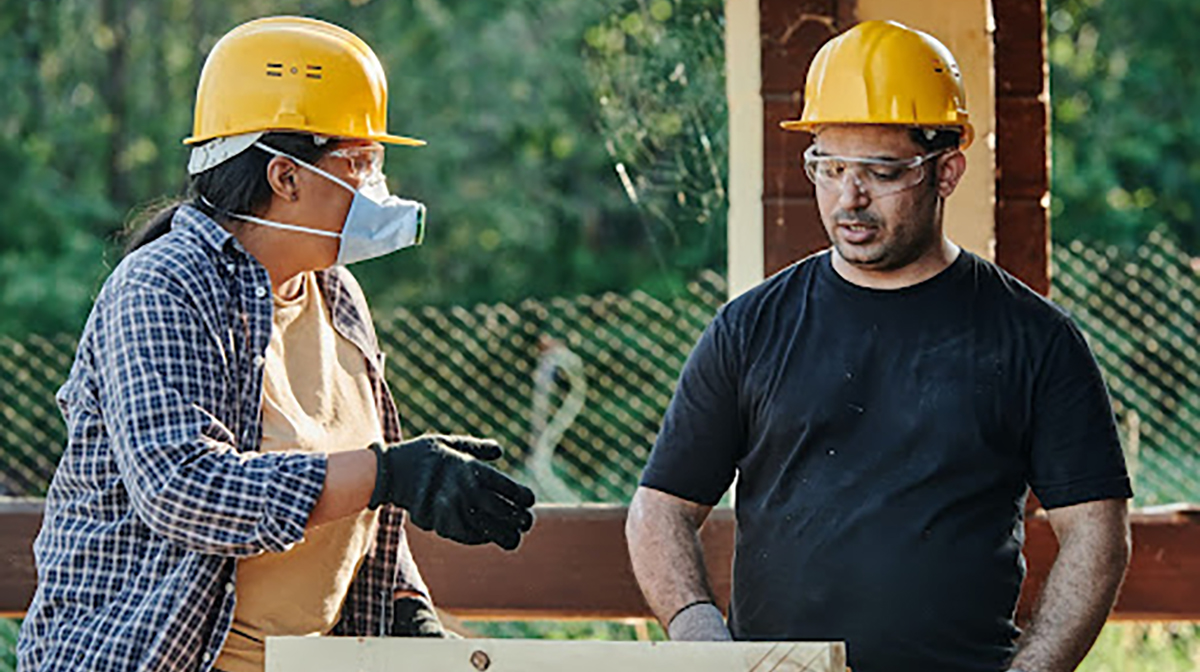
<point>447,489</point>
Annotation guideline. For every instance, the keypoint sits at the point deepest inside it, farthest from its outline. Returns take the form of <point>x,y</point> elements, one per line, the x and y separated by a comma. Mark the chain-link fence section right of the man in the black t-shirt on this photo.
<point>1141,314</point>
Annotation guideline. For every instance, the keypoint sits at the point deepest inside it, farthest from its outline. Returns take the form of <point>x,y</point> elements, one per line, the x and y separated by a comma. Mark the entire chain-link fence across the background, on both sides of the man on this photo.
<point>575,389</point>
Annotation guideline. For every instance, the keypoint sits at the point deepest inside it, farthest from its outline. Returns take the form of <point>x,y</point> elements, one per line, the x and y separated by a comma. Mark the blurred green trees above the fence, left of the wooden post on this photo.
<point>575,147</point>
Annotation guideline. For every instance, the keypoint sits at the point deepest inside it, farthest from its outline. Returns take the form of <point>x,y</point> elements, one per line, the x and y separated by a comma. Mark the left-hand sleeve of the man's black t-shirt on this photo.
<point>703,435</point>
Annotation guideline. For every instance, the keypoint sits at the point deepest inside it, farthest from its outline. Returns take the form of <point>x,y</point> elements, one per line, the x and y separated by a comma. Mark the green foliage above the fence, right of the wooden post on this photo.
<point>1126,142</point>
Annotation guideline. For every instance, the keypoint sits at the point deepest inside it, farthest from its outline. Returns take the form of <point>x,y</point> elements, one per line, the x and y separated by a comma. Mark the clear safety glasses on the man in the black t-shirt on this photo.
<point>874,177</point>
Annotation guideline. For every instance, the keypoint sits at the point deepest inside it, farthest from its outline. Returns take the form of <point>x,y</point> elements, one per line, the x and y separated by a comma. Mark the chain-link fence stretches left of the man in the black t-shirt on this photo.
<point>574,388</point>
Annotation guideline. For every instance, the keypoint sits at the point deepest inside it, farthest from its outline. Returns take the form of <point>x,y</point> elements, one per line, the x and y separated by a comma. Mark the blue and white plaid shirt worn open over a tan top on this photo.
<point>161,488</point>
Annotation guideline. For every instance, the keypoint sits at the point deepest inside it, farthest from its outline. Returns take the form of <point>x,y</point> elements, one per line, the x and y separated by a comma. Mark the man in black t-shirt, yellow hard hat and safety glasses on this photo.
<point>886,407</point>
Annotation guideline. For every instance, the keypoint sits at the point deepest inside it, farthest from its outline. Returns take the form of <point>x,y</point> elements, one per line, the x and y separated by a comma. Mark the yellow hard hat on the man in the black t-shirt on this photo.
<point>884,73</point>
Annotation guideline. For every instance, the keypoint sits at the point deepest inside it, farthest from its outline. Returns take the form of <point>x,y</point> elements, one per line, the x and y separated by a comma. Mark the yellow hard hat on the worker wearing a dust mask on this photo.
<point>293,74</point>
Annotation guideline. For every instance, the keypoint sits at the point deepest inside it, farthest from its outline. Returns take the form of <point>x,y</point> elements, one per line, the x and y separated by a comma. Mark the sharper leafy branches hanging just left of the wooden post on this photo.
<point>658,71</point>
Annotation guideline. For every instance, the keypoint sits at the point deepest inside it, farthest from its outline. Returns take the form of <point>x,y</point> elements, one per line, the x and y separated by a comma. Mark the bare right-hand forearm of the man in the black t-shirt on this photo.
<point>1078,597</point>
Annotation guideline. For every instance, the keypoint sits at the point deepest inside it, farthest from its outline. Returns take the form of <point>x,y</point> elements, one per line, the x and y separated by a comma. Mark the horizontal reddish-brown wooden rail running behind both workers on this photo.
<point>574,566</point>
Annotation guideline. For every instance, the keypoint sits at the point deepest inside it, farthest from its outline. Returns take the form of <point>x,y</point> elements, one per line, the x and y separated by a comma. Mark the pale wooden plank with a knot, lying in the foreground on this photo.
<point>381,655</point>
